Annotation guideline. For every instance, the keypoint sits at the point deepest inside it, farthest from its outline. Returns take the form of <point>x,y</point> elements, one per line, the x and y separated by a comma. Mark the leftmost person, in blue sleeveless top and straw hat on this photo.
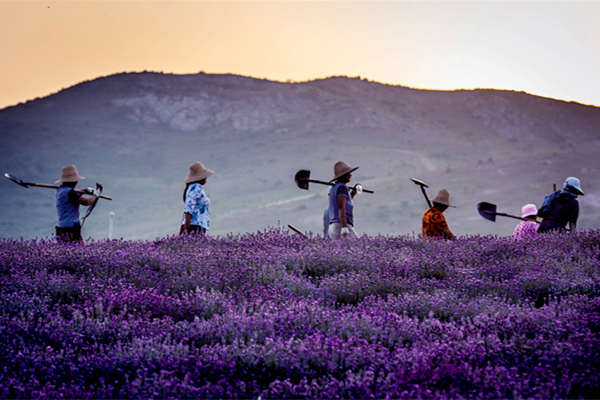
<point>68,228</point>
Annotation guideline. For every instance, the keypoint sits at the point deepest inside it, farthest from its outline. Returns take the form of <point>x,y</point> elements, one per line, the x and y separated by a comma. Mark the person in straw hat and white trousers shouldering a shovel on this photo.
<point>341,217</point>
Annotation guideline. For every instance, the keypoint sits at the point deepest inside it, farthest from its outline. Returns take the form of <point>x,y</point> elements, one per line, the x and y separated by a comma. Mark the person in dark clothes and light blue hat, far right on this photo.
<point>561,207</point>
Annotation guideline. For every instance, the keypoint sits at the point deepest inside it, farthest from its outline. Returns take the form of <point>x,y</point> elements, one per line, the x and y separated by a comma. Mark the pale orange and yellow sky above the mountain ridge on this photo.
<point>546,48</point>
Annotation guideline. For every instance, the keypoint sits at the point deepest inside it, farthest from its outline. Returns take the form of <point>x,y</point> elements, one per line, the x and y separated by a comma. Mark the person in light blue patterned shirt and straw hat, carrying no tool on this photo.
<point>196,217</point>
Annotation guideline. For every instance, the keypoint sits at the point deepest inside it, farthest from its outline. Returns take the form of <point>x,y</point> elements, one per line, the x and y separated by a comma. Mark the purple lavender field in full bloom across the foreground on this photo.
<point>277,316</point>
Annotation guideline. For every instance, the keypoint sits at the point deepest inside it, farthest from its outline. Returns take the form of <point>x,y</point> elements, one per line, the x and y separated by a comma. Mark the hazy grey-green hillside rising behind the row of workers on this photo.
<point>137,133</point>
